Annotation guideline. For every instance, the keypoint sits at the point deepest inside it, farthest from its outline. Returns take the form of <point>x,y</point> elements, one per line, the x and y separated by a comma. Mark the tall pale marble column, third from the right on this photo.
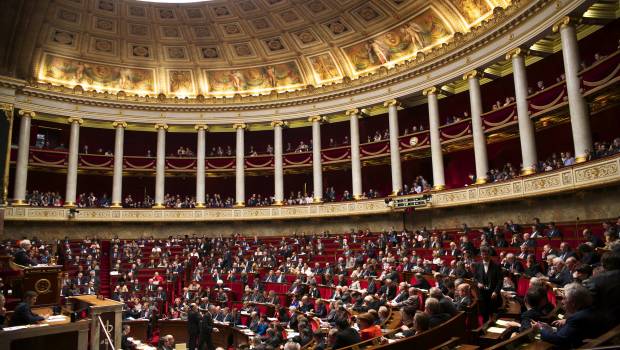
<point>480,141</point>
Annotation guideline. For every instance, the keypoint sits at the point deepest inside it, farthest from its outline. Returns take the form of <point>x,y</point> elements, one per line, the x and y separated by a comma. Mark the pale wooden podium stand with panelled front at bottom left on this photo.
<point>104,314</point>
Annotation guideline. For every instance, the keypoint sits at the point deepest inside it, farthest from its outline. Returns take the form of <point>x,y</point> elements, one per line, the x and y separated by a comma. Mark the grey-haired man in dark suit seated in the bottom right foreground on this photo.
<point>582,322</point>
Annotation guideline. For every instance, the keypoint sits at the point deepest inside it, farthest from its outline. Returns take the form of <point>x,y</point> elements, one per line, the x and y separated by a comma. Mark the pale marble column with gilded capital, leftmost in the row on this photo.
<point>21,167</point>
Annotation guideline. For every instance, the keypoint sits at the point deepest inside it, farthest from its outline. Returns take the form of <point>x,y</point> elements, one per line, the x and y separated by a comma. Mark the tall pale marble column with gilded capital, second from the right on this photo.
<point>527,132</point>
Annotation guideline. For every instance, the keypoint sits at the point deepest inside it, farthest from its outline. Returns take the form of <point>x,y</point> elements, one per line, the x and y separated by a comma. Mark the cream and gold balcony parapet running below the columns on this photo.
<point>580,176</point>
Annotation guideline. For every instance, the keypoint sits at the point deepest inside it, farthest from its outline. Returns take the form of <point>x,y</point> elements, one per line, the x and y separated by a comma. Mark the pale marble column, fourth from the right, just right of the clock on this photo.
<point>439,182</point>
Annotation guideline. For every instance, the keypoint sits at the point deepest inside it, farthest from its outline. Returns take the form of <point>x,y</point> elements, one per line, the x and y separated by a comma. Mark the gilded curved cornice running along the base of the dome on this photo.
<point>454,49</point>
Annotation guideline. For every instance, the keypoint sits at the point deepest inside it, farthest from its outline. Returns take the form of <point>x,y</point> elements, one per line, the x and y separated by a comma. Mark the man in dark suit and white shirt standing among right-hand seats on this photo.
<point>488,275</point>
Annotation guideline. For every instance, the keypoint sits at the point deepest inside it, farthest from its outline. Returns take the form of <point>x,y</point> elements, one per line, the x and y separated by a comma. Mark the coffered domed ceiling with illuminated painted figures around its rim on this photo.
<point>246,47</point>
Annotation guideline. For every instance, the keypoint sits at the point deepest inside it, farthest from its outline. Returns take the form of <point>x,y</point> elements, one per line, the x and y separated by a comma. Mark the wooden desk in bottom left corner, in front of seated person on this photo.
<point>42,337</point>
